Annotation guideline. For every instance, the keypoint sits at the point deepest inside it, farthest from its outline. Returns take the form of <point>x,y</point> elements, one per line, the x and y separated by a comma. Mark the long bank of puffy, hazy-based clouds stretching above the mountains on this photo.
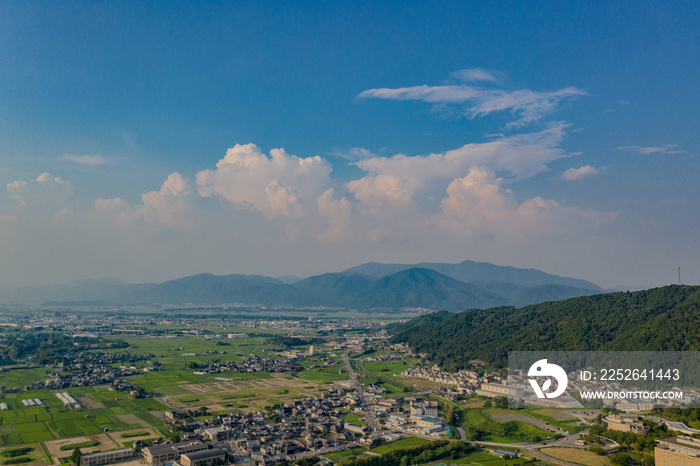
<point>253,212</point>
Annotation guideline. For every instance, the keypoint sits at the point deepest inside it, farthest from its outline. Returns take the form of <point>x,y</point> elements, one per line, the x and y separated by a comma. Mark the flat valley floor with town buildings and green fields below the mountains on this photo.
<point>203,391</point>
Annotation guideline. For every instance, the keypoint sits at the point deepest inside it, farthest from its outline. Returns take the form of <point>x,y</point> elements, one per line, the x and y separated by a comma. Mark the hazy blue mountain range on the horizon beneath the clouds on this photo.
<point>438,286</point>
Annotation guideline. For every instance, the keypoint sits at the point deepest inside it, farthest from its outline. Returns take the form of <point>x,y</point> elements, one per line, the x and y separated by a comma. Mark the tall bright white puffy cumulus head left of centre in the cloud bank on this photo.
<point>279,185</point>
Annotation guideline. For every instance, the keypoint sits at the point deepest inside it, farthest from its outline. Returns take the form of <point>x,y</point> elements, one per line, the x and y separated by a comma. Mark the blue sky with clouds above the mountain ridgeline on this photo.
<point>557,136</point>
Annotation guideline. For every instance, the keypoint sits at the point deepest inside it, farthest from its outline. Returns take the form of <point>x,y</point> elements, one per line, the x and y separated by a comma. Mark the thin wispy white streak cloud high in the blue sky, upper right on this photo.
<point>527,105</point>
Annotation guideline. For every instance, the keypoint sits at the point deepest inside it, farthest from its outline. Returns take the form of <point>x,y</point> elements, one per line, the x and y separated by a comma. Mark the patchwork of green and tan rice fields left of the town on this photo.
<point>105,410</point>
